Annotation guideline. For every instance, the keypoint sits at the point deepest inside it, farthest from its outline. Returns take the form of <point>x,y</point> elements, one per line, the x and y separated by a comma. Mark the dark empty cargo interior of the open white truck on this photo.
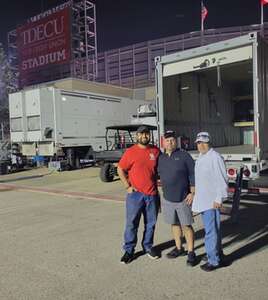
<point>218,100</point>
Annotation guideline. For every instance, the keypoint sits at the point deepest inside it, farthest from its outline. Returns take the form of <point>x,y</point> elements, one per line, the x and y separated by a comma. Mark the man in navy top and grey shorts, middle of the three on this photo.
<point>176,170</point>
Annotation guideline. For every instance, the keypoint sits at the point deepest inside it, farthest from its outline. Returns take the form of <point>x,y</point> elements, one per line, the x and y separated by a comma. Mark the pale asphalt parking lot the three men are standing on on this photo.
<point>61,237</point>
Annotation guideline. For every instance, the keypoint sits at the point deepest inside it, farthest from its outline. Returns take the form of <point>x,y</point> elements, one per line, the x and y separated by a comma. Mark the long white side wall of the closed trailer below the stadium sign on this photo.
<point>82,117</point>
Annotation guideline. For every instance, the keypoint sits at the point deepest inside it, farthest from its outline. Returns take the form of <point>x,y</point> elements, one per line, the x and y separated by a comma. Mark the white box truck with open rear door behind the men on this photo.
<point>220,88</point>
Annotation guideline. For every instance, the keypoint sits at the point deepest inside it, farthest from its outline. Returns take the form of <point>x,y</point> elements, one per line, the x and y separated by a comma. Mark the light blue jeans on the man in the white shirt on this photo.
<point>211,220</point>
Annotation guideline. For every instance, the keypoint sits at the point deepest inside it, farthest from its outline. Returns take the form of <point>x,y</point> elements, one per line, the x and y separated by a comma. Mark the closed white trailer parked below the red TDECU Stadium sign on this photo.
<point>49,121</point>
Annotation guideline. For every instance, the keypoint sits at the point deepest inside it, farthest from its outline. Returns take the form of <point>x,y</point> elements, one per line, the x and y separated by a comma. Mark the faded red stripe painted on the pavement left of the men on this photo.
<point>85,195</point>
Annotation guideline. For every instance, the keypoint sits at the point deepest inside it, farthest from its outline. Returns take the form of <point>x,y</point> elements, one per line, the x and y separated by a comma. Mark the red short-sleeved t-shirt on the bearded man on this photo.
<point>140,164</point>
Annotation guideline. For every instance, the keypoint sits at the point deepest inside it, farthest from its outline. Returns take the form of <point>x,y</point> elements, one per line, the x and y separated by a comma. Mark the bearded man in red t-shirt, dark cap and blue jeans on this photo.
<point>137,170</point>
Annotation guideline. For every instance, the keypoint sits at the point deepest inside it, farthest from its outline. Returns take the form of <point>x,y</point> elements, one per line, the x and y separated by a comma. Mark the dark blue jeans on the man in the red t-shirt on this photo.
<point>138,204</point>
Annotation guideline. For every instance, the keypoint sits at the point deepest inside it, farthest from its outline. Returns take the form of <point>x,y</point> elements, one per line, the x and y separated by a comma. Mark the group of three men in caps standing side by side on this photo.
<point>202,185</point>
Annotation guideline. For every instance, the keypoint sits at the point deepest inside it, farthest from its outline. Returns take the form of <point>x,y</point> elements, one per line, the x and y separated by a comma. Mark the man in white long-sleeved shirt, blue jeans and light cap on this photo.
<point>211,188</point>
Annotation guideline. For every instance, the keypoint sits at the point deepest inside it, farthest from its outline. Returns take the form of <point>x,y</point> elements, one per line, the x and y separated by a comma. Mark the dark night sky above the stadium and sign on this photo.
<point>125,22</point>
